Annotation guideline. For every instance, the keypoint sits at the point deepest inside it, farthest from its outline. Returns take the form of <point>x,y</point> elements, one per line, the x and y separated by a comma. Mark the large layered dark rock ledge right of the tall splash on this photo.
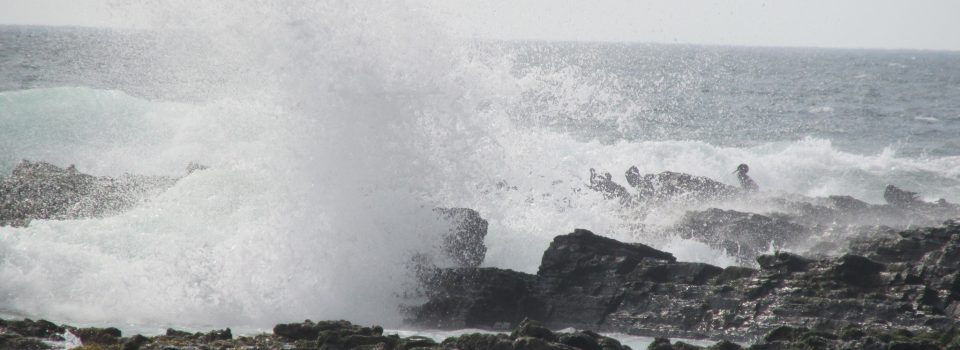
<point>909,279</point>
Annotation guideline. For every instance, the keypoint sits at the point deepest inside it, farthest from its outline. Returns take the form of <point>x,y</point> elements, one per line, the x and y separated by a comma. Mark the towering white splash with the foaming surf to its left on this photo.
<point>324,159</point>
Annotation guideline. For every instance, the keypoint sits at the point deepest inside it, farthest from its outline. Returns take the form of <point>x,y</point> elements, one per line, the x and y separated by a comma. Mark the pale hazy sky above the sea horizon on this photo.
<point>903,24</point>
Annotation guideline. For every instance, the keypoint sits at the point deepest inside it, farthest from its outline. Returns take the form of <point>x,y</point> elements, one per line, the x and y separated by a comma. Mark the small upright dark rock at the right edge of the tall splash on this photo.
<point>463,243</point>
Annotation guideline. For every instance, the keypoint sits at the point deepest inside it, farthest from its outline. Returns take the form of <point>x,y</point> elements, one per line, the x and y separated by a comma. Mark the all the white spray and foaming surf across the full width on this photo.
<point>331,131</point>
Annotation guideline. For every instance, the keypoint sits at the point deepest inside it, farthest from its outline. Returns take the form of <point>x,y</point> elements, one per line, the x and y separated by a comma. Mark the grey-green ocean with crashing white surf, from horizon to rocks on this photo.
<point>331,134</point>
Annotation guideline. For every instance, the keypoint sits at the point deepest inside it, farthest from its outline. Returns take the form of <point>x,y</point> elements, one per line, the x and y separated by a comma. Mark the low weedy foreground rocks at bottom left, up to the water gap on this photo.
<point>327,335</point>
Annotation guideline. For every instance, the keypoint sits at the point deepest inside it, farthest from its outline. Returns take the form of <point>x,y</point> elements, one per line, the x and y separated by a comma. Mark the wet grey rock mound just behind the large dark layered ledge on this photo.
<point>742,235</point>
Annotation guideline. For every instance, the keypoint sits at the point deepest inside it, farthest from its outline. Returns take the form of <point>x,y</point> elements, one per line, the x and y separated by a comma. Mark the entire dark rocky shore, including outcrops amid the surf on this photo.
<point>875,288</point>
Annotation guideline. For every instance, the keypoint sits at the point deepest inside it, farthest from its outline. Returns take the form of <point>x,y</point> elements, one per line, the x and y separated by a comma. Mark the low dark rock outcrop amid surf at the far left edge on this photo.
<point>44,191</point>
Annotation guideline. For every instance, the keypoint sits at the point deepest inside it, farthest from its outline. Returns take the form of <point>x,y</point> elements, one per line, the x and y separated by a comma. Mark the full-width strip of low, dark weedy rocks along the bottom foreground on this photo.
<point>528,335</point>
